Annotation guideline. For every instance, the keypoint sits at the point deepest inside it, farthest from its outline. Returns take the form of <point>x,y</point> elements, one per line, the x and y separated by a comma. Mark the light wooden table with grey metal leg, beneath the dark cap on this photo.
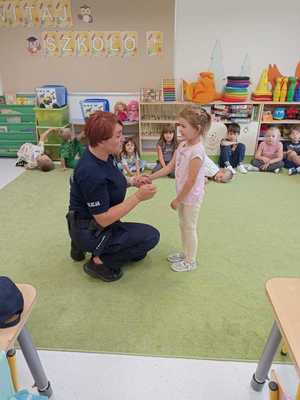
<point>9,336</point>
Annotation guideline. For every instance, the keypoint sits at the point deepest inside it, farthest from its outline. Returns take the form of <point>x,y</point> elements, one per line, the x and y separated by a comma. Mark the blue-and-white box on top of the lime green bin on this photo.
<point>51,96</point>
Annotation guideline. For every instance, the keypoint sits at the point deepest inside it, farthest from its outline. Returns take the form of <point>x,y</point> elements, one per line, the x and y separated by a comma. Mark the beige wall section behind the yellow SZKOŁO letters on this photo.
<point>21,70</point>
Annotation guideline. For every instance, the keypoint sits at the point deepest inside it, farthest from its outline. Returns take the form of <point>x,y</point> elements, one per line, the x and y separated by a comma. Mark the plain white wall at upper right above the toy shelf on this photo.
<point>268,31</point>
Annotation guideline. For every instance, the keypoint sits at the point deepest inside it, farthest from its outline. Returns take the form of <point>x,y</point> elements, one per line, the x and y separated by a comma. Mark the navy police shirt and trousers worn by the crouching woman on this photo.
<point>97,186</point>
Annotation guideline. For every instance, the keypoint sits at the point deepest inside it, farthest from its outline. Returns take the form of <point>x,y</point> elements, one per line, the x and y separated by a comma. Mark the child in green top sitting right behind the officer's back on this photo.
<point>71,149</point>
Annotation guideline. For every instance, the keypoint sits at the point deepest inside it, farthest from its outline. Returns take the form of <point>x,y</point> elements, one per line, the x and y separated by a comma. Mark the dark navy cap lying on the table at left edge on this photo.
<point>11,303</point>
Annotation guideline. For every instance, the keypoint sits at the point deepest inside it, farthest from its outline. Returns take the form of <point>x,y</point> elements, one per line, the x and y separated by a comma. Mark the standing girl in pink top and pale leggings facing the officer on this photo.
<point>188,162</point>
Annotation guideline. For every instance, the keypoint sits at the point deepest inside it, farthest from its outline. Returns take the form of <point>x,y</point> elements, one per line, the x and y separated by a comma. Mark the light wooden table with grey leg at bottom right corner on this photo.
<point>284,296</point>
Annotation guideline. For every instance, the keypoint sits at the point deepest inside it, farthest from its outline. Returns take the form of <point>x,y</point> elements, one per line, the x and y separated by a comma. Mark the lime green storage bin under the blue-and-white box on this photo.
<point>52,117</point>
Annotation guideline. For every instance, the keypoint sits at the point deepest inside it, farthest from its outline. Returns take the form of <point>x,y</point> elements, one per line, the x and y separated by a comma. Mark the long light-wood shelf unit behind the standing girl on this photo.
<point>250,115</point>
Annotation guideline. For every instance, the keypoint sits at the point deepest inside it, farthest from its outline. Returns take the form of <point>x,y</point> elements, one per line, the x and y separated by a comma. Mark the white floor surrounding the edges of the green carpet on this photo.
<point>80,376</point>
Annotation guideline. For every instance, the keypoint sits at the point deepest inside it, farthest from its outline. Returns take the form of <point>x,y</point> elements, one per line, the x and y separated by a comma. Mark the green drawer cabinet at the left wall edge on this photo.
<point>17,126</point>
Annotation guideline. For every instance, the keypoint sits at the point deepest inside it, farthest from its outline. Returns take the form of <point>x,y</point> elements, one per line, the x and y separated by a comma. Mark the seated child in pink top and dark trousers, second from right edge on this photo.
<point>269,154</point>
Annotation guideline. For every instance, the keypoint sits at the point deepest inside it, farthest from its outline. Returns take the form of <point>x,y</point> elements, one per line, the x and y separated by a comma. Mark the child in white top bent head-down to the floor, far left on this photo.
<point>32,156</point>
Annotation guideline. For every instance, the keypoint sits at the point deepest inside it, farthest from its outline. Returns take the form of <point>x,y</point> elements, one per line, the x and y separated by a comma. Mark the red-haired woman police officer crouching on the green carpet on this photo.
<point>97,203</point>
